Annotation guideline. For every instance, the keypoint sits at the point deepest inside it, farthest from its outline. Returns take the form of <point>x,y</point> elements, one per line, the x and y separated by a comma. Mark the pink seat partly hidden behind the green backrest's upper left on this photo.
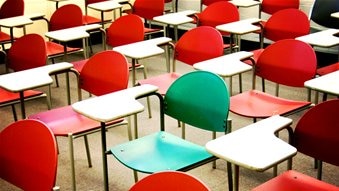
<point>163,82</point>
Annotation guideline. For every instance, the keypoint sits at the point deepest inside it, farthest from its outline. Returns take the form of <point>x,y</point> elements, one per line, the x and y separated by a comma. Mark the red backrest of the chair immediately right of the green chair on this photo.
<point>288,62</point>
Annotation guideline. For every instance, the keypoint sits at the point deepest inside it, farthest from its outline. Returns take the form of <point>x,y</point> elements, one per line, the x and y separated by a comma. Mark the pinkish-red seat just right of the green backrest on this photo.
<point>257,104</point>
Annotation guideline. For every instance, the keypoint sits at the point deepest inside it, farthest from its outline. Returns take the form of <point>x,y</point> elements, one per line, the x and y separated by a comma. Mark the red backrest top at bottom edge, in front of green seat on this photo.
<point>170,181</point>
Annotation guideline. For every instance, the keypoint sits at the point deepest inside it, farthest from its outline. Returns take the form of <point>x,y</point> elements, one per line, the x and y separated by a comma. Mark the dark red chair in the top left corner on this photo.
<point>10,8</point>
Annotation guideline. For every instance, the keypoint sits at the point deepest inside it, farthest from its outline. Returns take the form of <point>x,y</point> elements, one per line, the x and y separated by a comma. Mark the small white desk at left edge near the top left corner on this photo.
<point>12,22</point>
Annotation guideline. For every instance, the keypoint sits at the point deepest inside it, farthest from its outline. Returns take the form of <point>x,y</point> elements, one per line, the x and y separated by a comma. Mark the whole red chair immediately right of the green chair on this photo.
<point>286,62</point>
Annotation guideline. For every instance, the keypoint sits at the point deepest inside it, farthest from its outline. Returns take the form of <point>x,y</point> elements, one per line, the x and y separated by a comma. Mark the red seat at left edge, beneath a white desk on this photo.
<point>7,96</point>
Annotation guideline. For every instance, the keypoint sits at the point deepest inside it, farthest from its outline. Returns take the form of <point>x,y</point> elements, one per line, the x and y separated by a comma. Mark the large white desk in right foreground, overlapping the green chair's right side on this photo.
<point>255,146</point>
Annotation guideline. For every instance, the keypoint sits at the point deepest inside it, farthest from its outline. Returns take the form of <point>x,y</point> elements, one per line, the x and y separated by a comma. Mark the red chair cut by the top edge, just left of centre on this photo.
<point>147,9</point>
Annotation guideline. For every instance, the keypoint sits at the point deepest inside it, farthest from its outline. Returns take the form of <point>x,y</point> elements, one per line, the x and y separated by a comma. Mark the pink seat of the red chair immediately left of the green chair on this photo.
<point>57,119</point>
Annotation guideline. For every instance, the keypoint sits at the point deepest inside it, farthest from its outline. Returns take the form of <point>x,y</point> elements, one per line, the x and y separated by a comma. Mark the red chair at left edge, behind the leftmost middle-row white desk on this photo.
<point>27,52</point>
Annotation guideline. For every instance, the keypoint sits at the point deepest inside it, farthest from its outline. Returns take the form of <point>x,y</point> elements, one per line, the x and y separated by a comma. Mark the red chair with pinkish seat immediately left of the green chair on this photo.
<point>103,73</point>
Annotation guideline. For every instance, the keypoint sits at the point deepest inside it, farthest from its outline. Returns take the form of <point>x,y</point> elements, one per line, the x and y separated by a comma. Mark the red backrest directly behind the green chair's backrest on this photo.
<point>199,44</point>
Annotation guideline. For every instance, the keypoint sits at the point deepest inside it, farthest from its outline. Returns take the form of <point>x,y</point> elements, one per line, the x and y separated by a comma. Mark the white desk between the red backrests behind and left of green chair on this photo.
<point>141,50</point>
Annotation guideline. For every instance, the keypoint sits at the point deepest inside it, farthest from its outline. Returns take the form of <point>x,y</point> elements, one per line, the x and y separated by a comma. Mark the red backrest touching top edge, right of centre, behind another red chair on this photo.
<point>218,13</point>
